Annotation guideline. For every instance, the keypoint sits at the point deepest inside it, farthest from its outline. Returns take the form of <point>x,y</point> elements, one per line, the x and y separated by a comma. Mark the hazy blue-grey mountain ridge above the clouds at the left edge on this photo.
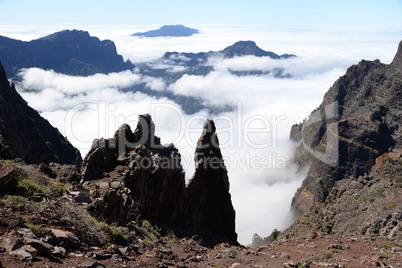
<point>68,52</point>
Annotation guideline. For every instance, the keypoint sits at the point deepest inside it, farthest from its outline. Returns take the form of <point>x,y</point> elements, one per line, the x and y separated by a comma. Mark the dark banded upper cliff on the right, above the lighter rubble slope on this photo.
<point>358,120</point>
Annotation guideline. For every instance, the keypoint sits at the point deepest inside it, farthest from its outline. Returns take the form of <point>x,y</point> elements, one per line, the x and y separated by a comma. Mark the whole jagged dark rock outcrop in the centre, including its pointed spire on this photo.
<point>138,178</point>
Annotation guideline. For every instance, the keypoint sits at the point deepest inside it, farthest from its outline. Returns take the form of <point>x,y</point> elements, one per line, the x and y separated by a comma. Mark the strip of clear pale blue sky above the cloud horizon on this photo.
<point>106,12</point>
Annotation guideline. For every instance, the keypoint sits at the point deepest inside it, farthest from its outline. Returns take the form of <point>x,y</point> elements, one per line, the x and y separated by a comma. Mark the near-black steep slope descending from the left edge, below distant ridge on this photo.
<point>25,134</point>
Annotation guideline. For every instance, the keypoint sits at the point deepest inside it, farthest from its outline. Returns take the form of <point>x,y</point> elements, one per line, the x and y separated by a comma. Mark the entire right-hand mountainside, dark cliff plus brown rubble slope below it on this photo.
<point>353,142</point>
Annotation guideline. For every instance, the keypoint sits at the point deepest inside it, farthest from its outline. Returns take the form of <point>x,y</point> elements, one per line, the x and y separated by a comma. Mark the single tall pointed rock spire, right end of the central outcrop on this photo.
<point>208,189</point>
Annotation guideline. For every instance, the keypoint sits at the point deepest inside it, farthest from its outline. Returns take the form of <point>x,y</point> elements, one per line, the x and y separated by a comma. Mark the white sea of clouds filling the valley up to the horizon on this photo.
<point>254,136</point>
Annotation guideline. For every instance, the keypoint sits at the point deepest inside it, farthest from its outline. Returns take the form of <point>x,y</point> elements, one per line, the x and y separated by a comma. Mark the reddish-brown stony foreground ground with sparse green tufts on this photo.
<point>48,225</point>
